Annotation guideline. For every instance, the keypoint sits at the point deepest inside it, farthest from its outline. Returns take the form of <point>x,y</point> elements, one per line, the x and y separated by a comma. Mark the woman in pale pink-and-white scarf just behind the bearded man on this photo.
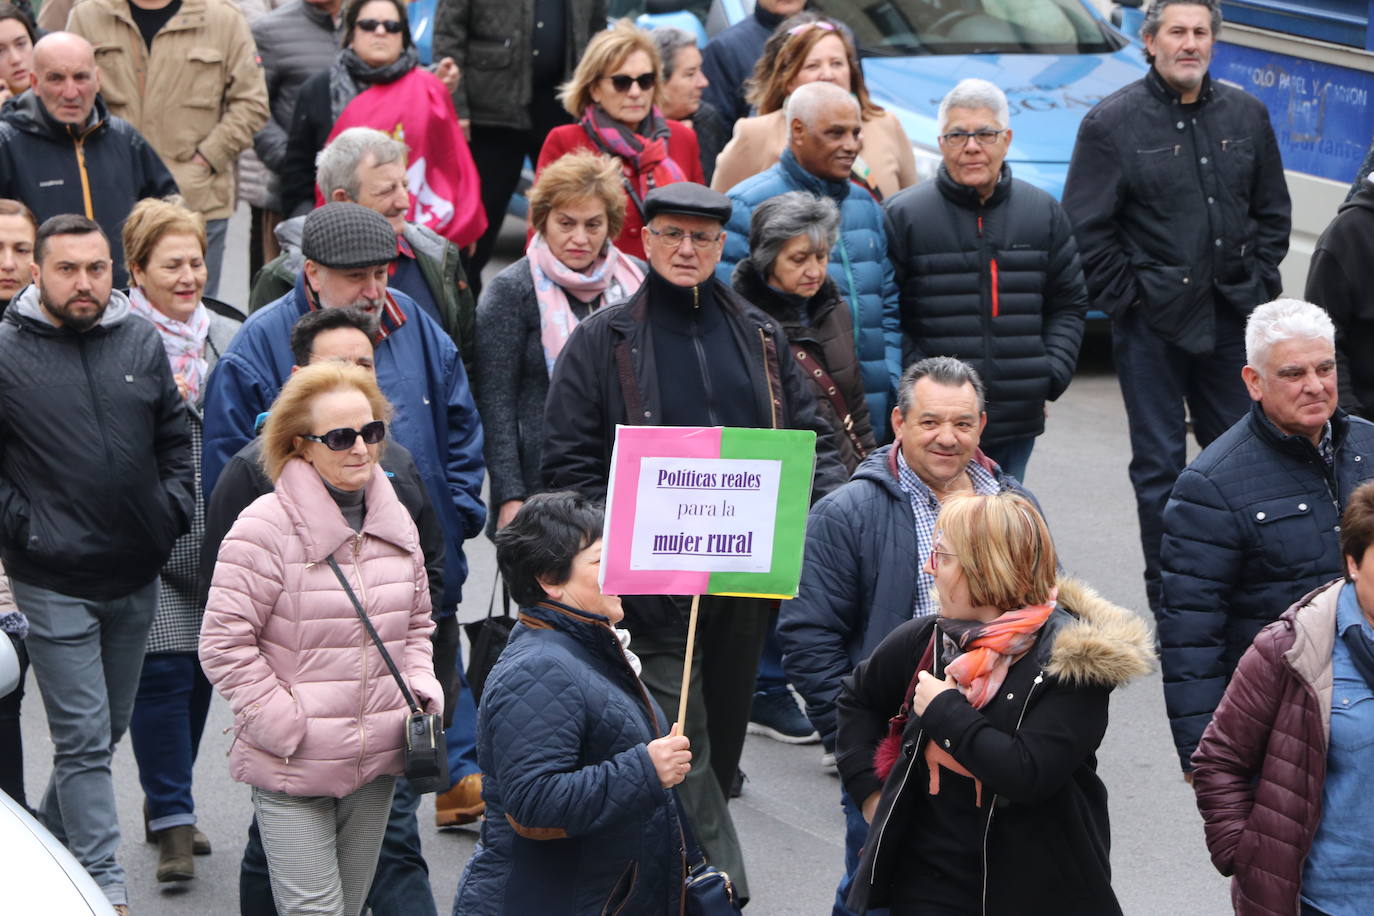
<point>164,245</point>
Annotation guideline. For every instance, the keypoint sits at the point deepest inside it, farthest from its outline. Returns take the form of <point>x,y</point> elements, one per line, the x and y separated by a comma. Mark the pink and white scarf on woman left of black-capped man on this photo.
<point>612,277</point>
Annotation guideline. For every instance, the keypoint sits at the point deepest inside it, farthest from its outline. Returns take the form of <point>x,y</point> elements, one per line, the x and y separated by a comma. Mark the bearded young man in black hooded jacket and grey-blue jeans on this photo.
<point>95,487</point>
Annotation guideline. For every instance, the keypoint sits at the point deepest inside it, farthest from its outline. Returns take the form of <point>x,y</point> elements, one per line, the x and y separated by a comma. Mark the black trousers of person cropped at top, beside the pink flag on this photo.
<point>499,154</point>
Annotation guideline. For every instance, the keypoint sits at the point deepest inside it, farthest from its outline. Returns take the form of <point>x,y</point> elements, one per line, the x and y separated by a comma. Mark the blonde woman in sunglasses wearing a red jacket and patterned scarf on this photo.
<point>616,93</point>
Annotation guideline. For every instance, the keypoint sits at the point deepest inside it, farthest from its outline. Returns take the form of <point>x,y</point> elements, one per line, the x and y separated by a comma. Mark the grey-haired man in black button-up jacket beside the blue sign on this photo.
<point>1182,214</point>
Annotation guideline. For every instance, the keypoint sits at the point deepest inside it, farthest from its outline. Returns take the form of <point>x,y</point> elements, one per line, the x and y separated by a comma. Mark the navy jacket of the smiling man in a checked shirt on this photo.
<point>858,583</point>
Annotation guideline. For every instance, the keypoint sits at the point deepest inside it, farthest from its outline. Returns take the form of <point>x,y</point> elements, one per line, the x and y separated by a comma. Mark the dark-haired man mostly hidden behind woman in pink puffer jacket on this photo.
<point>402,884</point>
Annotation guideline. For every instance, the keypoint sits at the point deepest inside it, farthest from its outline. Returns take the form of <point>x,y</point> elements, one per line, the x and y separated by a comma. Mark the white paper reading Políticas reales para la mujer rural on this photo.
<point>706,516</point>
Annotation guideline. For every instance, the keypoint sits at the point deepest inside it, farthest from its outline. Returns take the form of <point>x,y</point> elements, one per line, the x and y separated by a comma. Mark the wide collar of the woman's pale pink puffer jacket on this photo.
<point>319,523</point>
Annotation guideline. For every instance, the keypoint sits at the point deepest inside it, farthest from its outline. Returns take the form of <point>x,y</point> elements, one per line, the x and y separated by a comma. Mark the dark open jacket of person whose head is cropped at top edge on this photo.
<point>491,42</point>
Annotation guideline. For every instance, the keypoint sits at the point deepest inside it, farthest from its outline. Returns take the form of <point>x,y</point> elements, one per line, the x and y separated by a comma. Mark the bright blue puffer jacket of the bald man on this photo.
<point>858,264</point>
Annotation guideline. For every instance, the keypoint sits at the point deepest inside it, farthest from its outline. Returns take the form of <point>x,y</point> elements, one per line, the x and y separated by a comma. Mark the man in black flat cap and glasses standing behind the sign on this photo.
<point>685,351</point>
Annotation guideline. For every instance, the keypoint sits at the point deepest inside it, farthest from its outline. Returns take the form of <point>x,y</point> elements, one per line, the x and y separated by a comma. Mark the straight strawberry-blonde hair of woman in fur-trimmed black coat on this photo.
<point>1004,547</point>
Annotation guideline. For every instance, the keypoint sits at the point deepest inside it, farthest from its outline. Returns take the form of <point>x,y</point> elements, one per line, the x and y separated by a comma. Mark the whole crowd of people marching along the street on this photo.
<point>274,496</point>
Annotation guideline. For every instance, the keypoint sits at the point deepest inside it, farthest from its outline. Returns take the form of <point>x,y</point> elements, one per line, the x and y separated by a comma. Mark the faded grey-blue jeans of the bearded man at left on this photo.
<point>87,659</point>
